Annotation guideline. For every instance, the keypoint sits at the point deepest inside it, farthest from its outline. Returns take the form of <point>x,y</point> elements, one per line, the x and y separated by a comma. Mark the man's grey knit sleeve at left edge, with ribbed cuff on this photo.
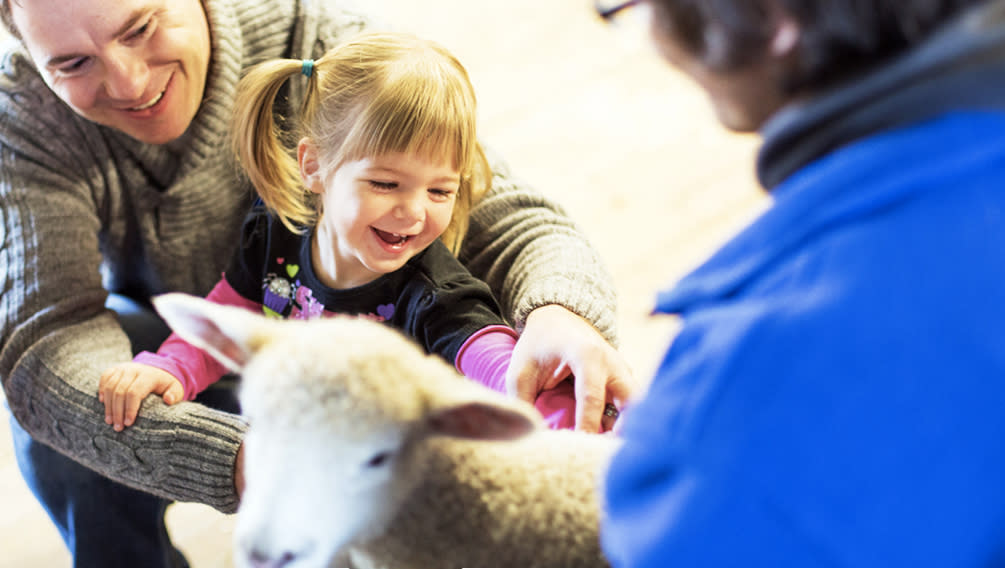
<point>57,337</point>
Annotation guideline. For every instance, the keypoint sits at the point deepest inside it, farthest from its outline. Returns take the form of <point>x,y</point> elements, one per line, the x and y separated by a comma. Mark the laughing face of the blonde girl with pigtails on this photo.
<point>377,213</point>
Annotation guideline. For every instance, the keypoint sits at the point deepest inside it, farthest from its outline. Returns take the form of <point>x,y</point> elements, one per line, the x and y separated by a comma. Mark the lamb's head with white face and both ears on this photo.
<point>336,409</point>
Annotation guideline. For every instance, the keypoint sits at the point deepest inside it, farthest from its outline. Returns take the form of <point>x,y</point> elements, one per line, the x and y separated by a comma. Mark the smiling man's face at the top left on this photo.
<point>136,66</point>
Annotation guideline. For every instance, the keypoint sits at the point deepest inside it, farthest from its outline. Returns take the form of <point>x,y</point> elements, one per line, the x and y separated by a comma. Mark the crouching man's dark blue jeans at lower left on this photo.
<point>104,523</point>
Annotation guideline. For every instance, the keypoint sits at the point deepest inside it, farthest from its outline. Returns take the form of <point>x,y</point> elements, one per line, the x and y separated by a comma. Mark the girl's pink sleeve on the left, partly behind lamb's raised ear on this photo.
<point>194,368</point>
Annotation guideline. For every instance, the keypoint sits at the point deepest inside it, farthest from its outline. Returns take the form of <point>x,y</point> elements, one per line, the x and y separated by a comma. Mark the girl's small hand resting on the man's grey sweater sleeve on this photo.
<point>124,388</point>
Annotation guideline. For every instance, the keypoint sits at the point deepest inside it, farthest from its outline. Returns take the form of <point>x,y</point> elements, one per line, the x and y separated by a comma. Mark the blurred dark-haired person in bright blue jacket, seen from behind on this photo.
<point>837,394</point>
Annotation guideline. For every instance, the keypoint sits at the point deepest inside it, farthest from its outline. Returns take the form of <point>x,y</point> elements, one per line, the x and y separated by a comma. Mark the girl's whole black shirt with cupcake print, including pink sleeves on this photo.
<point>433,299</point>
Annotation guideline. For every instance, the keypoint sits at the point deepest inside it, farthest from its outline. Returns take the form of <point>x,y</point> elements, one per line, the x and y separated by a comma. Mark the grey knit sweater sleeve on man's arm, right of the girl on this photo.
<point>532,254</point>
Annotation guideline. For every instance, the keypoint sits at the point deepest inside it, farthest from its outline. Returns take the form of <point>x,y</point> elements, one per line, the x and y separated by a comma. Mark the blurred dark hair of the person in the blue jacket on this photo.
<point>839,38</point>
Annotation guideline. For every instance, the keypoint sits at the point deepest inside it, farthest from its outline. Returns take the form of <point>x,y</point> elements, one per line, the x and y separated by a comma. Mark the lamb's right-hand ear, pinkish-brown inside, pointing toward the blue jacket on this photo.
<point>484,422</point>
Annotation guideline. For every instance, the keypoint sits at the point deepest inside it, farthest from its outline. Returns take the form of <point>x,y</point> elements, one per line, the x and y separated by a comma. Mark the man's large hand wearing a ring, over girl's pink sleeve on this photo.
<point>557,343</point>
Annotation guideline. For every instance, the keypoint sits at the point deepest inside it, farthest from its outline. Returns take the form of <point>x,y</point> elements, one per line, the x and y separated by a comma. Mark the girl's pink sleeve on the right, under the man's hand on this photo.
<point>486,356</point>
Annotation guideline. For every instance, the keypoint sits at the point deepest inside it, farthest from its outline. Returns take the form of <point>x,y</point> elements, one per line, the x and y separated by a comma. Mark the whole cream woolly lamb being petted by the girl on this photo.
<point>364,451</point>
